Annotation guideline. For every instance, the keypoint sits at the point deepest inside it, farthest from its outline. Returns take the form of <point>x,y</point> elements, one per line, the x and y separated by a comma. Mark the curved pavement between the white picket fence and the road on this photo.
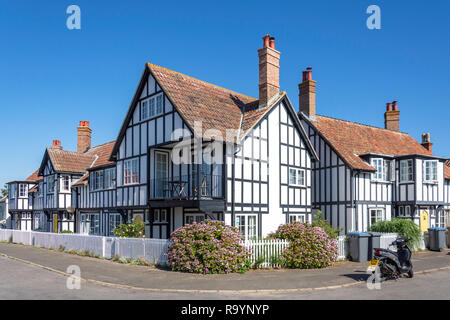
<point>121,276</point>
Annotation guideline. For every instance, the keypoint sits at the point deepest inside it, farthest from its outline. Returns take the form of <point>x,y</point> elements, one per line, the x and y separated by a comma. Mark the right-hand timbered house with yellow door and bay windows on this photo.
<point>367,174</point>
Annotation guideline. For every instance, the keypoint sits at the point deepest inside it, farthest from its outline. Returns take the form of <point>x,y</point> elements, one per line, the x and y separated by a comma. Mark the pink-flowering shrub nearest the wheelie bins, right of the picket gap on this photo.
<point>310,247</point>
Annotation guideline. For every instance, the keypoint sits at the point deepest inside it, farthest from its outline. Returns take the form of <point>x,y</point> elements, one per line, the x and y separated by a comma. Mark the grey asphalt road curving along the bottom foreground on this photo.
<point>22,281</point>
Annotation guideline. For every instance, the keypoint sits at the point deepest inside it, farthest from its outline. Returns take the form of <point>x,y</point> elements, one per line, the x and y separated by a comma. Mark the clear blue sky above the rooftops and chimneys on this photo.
<point>52,77</point>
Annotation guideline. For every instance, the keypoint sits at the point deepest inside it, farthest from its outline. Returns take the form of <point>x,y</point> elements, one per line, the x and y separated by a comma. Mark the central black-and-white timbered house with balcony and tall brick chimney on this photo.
<point>189,150</point>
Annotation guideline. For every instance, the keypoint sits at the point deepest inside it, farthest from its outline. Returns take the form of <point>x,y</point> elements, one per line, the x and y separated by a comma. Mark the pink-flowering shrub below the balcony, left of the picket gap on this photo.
<point>208,247</point>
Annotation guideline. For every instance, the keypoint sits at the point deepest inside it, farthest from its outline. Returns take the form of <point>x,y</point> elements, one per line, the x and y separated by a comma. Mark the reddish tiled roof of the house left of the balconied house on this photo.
<point>69,161</point>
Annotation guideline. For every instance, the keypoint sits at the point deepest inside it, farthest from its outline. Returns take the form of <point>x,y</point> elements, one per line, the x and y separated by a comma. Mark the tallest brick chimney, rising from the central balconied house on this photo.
<point>269,70</point>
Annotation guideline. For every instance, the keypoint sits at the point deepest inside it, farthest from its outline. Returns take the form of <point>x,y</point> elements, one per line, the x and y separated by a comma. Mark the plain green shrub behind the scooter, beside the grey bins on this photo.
<point>405,228</point>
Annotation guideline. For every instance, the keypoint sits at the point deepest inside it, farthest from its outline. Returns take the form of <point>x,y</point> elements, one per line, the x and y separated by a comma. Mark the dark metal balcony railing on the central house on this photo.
<point>187,187</point>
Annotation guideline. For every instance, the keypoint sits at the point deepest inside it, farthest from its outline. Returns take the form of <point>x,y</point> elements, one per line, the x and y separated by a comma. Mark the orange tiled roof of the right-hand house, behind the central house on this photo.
<point>351,140</point>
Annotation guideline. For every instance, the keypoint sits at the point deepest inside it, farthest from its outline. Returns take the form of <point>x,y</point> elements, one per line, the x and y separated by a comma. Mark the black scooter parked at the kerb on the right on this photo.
<point>393,264</point>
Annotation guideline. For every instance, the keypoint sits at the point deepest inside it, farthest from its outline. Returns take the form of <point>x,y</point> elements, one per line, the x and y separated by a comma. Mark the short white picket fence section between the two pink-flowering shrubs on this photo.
<point>264,253</point>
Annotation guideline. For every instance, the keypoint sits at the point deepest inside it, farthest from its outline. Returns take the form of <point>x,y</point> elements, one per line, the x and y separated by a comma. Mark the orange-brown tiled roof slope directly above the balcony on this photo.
<point>196,100</point>
